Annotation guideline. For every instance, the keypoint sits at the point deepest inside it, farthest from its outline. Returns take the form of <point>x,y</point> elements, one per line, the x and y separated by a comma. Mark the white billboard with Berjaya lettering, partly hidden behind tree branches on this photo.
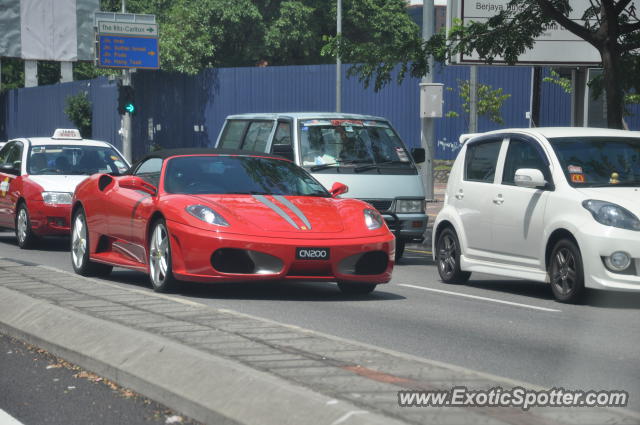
<point>555,46</point>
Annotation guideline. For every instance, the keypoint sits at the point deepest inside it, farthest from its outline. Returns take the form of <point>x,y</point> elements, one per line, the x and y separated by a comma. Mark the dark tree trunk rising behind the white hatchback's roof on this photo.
<point>613,89</point>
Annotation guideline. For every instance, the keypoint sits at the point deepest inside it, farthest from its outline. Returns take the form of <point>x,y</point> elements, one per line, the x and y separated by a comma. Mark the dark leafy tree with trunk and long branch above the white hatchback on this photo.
<point>610,26</point>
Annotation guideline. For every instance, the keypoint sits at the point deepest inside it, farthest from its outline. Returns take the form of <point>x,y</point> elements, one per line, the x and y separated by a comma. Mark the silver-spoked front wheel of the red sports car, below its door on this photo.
<point>160,268</point>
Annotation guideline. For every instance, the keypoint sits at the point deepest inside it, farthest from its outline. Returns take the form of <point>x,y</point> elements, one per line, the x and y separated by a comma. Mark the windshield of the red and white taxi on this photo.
<point>74,160</point>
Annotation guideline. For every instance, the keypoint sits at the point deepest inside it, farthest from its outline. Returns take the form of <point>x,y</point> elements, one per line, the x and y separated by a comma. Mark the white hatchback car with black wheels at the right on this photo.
<point>557,205</point>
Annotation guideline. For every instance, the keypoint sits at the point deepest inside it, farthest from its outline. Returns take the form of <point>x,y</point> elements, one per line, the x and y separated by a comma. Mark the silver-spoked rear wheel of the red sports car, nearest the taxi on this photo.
<point>80,248</point>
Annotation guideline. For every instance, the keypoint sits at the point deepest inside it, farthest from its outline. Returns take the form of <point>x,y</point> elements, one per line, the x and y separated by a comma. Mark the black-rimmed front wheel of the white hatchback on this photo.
<point>566,273</point>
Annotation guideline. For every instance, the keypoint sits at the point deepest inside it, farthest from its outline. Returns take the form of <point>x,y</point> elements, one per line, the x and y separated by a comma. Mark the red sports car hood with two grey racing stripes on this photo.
<point>275,213</point>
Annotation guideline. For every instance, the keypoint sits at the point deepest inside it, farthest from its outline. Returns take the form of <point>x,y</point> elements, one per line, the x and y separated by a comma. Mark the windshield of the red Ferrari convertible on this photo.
<point>217,174</point>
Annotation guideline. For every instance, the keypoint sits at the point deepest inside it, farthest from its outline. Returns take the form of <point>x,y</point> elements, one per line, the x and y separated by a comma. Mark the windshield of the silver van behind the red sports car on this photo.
<point>363,144</point>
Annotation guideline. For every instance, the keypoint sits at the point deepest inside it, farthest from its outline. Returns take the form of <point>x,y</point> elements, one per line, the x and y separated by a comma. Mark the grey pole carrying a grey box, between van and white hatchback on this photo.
<point>427,124</point>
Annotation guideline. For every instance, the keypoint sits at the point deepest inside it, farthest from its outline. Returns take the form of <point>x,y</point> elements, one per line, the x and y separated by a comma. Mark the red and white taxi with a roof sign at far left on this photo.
<point>38,176</point>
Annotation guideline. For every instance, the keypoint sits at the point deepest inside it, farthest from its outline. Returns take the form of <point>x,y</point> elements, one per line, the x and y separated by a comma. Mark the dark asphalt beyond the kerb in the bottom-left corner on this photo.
<point>42,389</point>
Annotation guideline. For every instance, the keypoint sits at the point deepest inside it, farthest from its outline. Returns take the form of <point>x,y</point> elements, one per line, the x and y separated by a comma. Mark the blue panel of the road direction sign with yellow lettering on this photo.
<point>119,51</point>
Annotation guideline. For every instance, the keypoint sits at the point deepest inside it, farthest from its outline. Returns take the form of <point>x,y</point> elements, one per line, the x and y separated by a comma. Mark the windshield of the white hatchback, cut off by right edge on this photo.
<point>599,161</point>
